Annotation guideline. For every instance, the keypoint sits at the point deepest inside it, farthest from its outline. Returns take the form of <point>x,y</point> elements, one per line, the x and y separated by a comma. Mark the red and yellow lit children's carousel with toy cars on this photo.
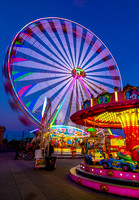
<point>118,110</point>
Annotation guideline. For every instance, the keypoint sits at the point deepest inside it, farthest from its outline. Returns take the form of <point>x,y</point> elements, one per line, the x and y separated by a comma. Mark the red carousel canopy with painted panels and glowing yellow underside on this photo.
<point>105,110</point>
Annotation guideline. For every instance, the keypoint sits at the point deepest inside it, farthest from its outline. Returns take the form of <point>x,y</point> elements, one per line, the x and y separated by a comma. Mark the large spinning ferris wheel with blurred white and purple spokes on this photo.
<point>61,60</point>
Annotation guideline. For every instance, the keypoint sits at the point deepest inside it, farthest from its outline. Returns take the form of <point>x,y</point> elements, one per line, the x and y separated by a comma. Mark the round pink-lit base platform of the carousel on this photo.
<point>107,180</point>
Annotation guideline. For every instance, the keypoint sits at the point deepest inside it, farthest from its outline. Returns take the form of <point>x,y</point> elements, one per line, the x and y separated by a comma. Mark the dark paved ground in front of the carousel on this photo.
<point>19,180</point>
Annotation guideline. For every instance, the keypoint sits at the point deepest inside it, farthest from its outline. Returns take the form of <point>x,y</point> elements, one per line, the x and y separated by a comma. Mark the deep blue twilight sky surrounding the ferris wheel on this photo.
<point>115,22</point>
